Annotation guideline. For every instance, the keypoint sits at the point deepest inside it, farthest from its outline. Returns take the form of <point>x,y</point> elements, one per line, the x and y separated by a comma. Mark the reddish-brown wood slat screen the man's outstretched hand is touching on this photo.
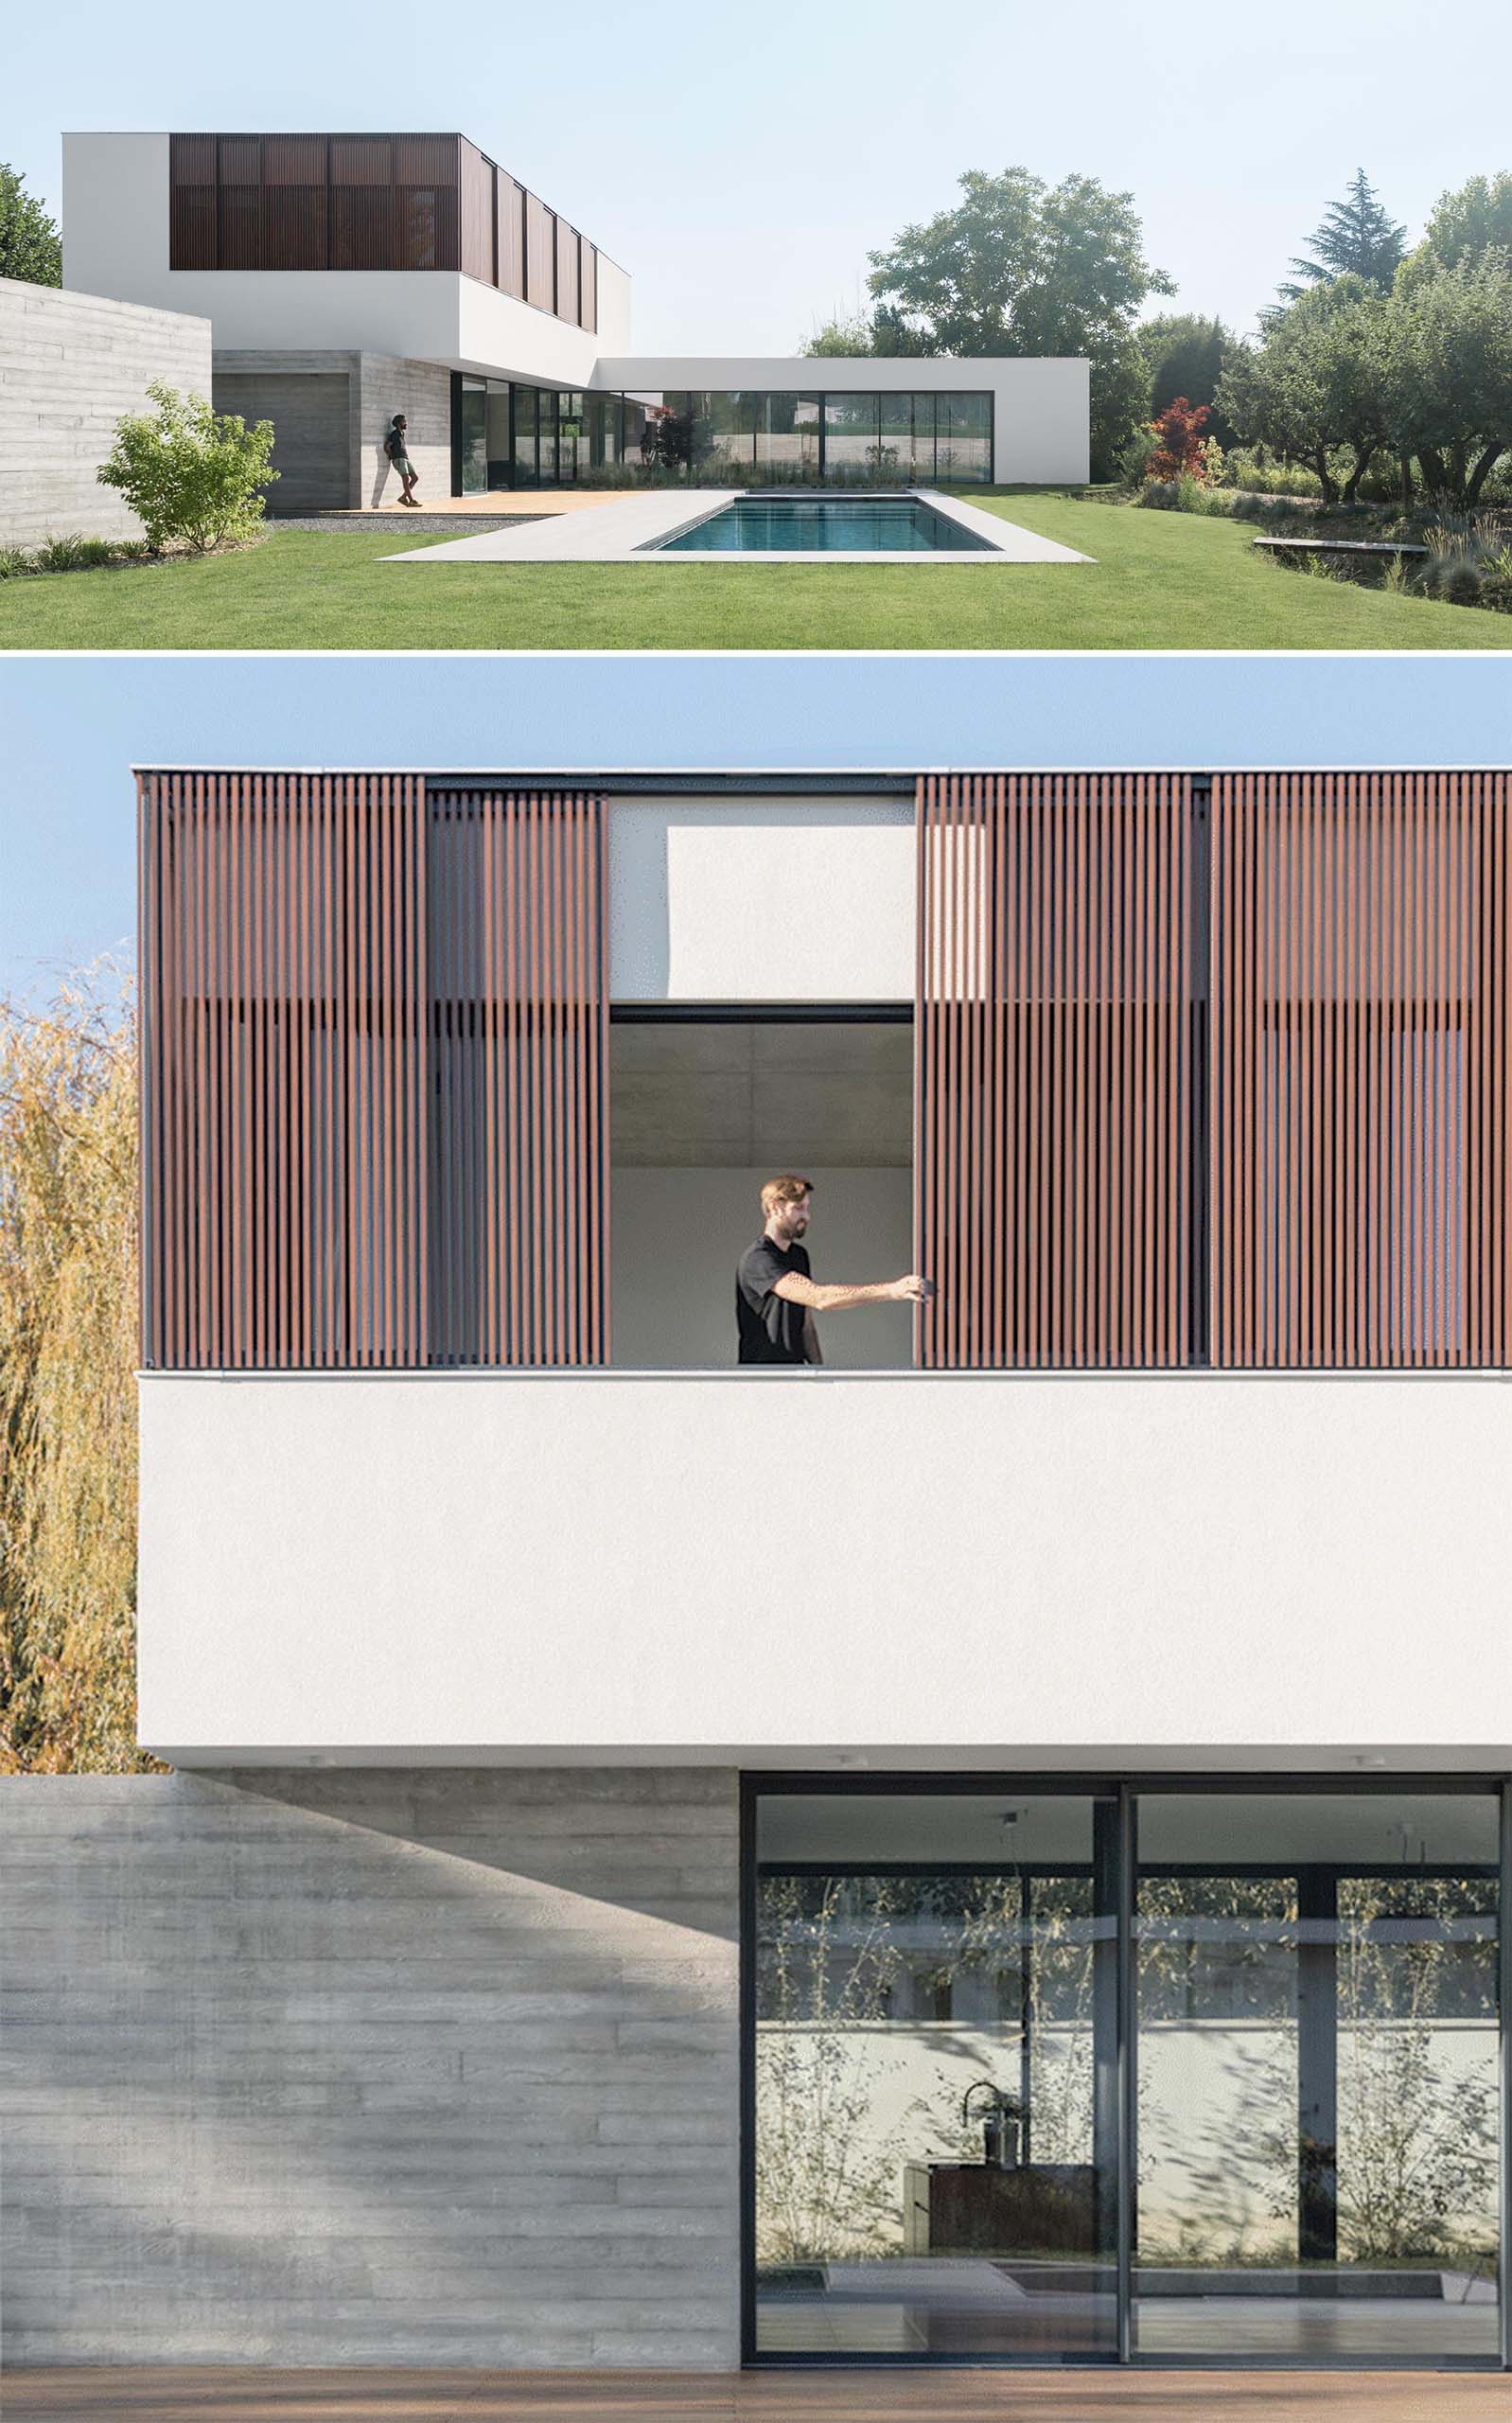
<point>1055,1070</point>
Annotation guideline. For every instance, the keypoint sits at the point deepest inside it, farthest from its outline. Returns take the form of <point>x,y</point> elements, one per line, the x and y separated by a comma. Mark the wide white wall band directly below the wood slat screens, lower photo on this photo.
<point>1014,1569</point>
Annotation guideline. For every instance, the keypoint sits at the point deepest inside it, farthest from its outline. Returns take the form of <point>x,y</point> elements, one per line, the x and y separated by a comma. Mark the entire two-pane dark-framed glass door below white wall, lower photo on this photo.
<point>1169,2075</point>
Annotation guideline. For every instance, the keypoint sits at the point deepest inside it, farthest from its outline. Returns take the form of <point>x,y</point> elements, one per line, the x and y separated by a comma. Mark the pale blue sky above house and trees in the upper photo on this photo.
<point>743,164</point>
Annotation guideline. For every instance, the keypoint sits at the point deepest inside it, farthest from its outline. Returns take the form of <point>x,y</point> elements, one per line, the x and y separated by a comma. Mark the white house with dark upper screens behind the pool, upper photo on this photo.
<point>357,275</point>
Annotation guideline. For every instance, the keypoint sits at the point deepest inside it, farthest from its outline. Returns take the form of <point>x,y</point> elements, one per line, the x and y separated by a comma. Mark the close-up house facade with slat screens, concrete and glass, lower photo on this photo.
<point>983,1850</point>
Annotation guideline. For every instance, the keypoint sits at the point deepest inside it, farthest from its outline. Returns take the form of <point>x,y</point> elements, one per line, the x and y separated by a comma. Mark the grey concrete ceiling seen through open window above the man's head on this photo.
<point>762,1096</point>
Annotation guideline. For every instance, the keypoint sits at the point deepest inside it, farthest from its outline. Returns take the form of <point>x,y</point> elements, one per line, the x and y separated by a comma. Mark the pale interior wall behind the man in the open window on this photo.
<point>677,1237</point>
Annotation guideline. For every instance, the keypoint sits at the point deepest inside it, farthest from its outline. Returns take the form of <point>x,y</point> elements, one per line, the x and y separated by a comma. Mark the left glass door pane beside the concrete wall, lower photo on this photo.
<point>937,2075</point>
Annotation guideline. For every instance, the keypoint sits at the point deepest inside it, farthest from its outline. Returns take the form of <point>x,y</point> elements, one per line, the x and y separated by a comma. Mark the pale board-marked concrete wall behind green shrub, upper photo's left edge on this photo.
<point>69,370</point>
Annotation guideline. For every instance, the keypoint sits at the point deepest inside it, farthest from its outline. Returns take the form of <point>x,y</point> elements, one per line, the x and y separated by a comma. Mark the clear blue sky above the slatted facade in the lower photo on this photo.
<point>74,726</point>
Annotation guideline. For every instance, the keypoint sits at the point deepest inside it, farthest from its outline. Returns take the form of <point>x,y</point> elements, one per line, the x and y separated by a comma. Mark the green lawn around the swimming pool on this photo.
<point>1162,580</point>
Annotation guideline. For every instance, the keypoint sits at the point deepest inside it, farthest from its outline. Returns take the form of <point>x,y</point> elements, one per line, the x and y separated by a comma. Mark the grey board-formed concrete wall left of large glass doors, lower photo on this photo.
<point>372,2068</point>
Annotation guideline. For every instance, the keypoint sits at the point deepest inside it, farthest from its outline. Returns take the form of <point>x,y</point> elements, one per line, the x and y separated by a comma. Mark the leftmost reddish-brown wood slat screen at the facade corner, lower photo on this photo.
<point>285,1070</point>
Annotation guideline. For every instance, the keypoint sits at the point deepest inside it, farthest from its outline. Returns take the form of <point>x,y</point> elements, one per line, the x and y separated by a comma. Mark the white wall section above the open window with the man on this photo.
<point>769,900</point>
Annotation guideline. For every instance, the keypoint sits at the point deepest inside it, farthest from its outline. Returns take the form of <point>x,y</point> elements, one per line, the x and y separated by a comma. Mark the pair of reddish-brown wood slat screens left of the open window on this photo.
<point>374,1075</point>
